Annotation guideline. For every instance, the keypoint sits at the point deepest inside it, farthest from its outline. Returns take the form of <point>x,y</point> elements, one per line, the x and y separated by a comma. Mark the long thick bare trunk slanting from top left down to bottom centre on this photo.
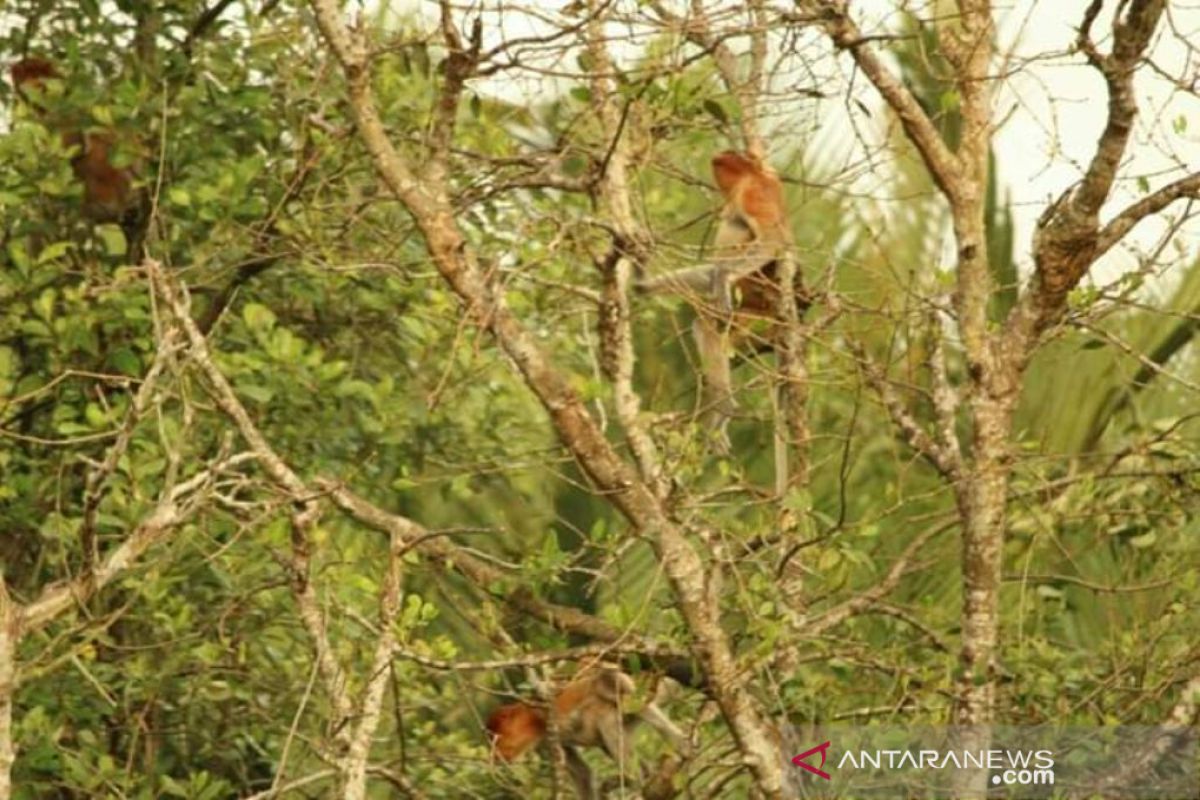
<point>698,601</point>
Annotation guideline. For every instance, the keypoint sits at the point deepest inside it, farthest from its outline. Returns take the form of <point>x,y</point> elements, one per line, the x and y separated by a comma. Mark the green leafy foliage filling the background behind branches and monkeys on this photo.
<point>194,675</point>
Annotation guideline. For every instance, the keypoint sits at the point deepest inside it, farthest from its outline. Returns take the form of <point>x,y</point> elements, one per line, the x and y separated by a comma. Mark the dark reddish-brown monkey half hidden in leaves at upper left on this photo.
<point>109,193</point>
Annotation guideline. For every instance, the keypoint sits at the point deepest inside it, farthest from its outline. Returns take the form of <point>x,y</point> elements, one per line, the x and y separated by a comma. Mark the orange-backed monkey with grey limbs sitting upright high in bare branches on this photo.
<point>741,284</point>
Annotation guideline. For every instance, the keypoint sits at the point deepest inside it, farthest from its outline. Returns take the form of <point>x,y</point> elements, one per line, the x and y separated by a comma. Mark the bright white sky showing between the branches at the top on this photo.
<point>1053,110</point>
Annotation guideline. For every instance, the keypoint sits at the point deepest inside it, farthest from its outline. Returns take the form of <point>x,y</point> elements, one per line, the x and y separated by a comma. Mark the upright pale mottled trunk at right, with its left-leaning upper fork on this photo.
<point>981,482</point>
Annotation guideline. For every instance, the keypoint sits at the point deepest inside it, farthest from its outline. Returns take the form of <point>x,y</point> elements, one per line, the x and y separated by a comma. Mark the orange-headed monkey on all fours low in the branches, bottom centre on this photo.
<point>591,712</point>
